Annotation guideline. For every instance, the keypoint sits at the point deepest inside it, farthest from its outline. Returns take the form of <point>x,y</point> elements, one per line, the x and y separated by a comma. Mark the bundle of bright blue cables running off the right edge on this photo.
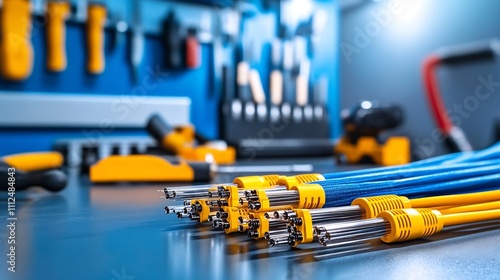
<point>454,173</point>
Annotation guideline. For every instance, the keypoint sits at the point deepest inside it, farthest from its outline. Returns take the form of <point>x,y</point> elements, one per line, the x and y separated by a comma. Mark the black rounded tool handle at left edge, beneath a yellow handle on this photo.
<point>52,180</point>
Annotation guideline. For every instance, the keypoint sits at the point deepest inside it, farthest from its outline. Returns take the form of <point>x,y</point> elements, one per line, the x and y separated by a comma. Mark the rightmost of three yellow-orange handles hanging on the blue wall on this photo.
<point>96,18</point>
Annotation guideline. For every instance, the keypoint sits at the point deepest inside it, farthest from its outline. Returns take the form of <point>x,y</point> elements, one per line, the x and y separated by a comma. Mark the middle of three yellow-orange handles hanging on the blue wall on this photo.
<point>57,13</point>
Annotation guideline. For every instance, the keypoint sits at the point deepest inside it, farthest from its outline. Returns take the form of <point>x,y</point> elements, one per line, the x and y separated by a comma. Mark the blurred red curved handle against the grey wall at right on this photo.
<point>434,96</point>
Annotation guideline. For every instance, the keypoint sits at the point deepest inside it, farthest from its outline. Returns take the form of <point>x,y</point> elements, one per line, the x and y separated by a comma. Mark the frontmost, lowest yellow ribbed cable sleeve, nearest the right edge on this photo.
<point>408,224</point>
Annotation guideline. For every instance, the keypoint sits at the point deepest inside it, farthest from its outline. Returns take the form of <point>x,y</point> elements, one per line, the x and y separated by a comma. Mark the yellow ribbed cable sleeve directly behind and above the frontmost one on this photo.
<point>372,206</point>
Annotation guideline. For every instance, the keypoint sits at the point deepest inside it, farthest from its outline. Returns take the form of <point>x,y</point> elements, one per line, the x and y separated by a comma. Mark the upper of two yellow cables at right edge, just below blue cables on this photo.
<point>457,199</point>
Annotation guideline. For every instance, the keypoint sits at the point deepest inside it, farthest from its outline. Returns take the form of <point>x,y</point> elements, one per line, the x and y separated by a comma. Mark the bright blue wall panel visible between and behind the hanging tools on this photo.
<point>117,78</point>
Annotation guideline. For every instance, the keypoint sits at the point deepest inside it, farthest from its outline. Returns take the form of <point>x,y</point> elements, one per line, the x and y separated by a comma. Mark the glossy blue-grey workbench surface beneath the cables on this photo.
<point>120,232</point>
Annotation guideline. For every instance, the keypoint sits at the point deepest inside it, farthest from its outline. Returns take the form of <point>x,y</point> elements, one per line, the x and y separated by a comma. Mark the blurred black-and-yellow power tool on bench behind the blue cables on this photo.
<point>363,124</point>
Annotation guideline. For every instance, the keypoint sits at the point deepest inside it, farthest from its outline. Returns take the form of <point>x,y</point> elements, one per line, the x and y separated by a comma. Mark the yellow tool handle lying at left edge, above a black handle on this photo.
<point>34,161</point>
